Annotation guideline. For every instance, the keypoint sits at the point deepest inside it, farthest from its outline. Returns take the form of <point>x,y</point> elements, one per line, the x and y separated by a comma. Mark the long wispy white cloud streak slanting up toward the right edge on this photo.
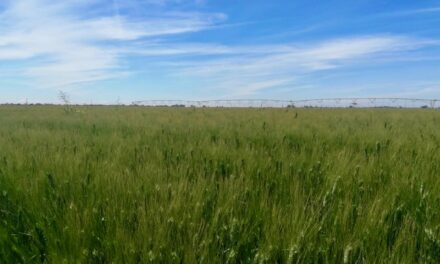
<point>247,73</point>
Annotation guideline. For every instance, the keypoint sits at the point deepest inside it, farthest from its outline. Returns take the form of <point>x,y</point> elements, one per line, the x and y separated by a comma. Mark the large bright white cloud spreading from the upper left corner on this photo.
<point>71,48</point>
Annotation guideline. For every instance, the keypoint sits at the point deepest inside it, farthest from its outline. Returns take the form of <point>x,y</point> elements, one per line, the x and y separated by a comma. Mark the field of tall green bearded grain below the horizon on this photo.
<point>182,185</point>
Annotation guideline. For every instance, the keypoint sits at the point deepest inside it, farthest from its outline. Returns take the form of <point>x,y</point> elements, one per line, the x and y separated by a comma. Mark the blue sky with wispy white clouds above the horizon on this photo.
<point>103,51</point>
